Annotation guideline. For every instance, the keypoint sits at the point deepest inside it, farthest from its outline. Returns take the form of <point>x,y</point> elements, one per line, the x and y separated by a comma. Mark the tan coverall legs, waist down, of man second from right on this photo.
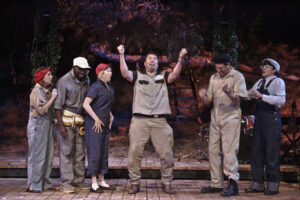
<point>224,140</point>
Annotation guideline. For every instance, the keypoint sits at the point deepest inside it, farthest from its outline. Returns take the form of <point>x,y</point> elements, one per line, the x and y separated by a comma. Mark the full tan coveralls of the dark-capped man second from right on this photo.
<point>224,132</point>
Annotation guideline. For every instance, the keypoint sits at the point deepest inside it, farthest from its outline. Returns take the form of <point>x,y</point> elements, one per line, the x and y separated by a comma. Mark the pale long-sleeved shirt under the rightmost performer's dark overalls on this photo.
<point>276,91</point>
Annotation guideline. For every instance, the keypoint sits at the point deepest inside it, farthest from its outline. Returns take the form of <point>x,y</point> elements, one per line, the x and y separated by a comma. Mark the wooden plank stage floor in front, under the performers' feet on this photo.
<point>14,188</point>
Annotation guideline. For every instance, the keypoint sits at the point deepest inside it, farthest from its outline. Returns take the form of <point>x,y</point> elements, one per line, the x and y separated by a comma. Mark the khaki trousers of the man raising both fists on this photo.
<point>161,134</point>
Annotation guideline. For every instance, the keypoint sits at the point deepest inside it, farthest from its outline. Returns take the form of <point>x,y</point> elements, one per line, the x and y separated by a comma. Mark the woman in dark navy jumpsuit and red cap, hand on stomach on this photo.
<point>97,124</point>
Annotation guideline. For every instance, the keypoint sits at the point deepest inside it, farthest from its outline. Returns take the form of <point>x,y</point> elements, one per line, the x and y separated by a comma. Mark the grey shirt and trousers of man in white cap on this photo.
<point>71,94</point>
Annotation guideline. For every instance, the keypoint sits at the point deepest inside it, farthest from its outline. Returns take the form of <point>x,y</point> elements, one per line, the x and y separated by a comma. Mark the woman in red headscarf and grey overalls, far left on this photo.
<point>39,132</point>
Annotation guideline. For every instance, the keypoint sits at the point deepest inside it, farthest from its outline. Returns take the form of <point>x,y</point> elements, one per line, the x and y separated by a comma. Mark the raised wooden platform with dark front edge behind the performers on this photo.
<point>14,165</point>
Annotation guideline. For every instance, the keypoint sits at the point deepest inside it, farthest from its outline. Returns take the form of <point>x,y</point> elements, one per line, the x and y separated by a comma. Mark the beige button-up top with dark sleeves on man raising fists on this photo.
<point>151,95</point>
